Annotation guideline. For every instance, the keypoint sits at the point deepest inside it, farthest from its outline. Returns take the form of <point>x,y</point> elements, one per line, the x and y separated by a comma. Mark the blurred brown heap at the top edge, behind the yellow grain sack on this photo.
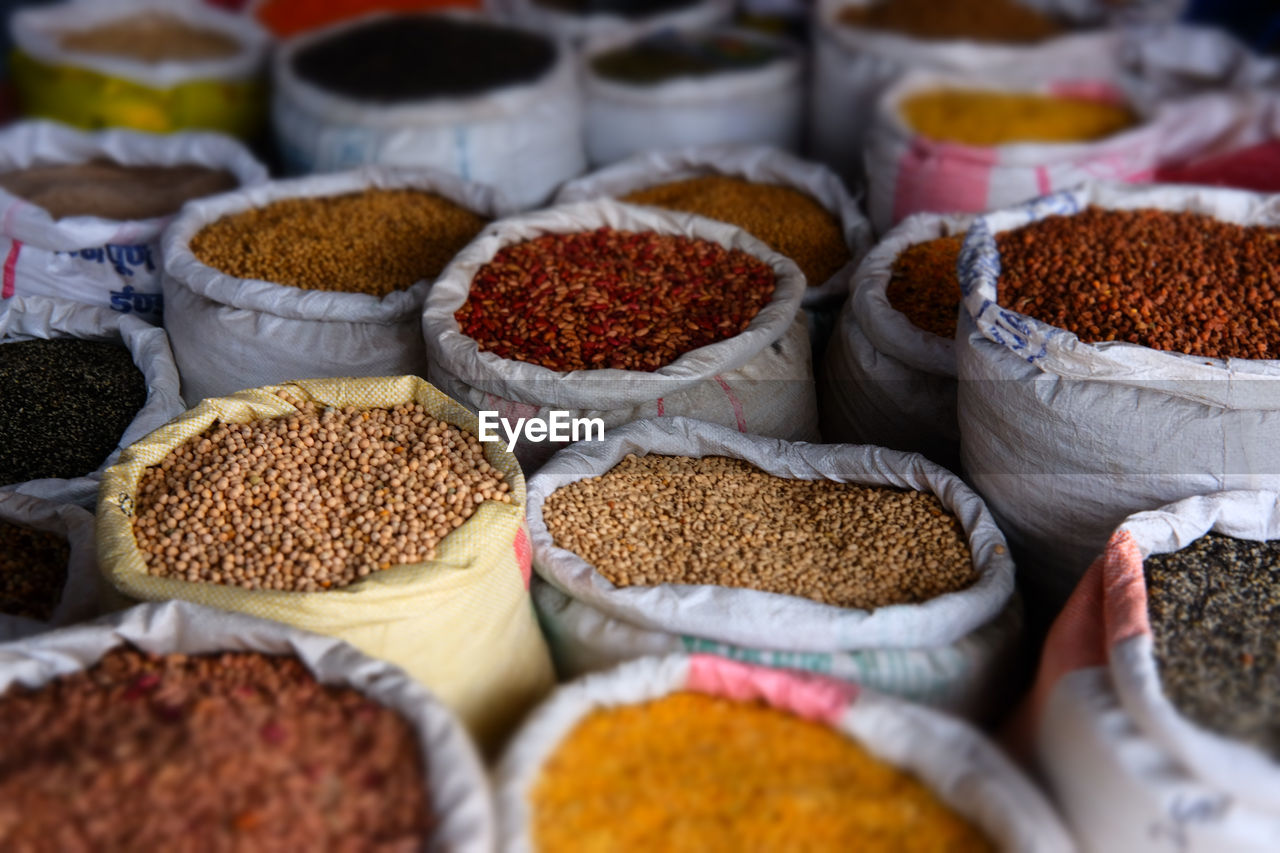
<point>993,21</point>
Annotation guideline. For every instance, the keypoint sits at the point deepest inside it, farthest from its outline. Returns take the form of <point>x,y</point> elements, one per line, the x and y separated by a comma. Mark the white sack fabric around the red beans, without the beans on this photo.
<point>760,382</point>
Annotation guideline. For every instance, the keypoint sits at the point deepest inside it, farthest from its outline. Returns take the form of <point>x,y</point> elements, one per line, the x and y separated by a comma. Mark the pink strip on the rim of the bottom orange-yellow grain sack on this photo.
<point>813,697</point>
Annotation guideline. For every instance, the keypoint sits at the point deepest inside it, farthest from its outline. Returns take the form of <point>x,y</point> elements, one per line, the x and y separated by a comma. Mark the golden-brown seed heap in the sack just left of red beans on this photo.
<point>372,243</point>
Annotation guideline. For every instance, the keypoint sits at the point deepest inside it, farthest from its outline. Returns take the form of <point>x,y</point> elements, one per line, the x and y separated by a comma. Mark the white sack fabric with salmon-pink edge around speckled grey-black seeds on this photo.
<point>1127,769</point>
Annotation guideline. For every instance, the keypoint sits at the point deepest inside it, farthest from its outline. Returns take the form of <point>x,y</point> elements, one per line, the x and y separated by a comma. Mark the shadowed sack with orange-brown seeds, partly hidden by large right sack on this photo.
<point>889,376</point>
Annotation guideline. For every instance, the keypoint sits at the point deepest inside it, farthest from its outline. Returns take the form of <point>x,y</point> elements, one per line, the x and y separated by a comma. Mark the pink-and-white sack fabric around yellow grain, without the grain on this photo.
<point>909,174</point>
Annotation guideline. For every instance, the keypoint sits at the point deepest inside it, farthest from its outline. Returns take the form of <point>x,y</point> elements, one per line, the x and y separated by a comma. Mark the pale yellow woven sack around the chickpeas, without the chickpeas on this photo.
<point>461,624</point>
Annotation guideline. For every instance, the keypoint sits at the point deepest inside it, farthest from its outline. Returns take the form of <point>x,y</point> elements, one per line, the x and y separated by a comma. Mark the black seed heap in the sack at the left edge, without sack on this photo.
<point>65,405</point>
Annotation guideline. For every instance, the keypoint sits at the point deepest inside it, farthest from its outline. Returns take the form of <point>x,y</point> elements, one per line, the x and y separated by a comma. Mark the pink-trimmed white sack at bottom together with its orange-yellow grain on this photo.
<point>698,752</point>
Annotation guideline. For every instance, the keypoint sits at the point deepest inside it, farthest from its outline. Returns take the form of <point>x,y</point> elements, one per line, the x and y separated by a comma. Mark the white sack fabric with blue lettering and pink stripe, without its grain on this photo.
<point>88,259</point>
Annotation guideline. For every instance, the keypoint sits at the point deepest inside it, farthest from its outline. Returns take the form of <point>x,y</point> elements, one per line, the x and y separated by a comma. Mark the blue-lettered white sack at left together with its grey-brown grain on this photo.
<point>84,212</point>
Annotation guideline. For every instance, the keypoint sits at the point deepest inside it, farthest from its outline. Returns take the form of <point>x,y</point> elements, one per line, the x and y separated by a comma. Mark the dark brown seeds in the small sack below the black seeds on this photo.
<point>33,571</point>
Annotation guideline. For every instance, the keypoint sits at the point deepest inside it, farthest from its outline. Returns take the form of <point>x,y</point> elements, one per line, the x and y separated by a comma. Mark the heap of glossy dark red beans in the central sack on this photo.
<point>612,299</point>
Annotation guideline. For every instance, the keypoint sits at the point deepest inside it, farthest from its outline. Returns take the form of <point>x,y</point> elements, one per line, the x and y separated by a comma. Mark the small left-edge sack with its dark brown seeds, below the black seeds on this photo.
<point>48,565</point>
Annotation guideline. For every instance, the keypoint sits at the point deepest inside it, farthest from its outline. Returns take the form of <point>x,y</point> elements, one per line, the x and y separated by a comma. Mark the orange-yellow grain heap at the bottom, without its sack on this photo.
<point>700,773</point>
